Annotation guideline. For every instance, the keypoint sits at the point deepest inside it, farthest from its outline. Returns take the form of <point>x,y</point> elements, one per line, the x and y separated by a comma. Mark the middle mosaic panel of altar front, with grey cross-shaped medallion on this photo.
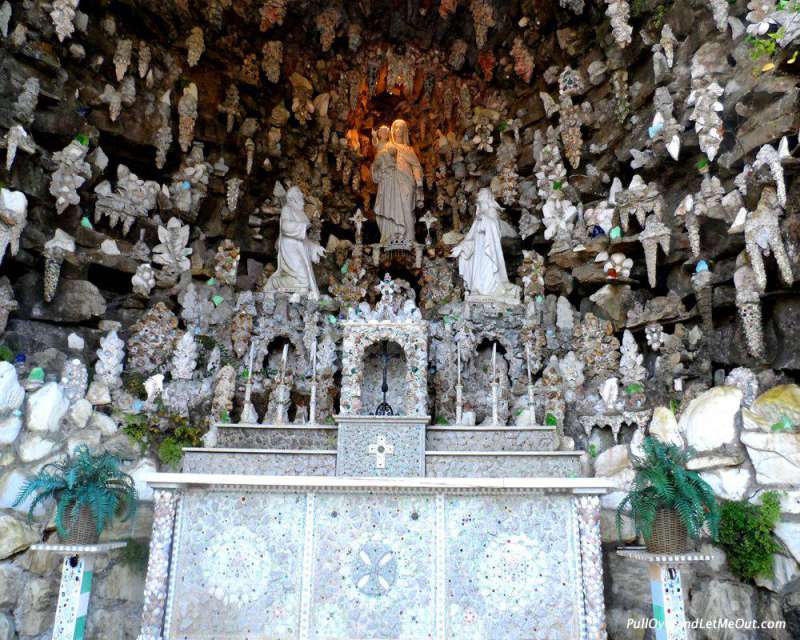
<point>373,567</point>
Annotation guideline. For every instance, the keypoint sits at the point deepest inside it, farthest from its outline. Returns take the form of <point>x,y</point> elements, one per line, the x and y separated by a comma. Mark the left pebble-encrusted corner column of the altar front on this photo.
<point>165,504</point>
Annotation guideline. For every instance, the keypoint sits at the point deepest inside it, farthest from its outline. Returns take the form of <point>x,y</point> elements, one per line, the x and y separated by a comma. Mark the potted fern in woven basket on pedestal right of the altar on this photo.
<point>668,502</point>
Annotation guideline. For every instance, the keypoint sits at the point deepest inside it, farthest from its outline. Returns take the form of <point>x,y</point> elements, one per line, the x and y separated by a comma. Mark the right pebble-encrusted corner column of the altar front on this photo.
<point>588,508</point>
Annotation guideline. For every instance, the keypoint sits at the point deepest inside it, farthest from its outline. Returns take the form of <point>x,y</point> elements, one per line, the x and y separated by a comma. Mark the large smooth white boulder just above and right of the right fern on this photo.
<point>709,422</point>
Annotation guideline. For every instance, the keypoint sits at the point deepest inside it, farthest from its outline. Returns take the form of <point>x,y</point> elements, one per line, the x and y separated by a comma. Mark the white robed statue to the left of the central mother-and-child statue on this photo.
<point>295,252</point>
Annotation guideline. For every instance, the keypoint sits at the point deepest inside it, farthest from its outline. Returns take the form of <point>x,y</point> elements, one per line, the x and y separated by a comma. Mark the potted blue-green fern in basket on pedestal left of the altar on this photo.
<point>89,489</point>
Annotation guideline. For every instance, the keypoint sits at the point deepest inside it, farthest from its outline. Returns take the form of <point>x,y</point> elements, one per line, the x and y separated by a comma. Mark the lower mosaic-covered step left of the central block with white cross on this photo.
<point>260,462</point>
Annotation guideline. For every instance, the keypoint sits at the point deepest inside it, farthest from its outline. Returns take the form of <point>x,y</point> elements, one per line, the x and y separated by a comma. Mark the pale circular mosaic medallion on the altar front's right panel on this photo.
<point>513,569</point>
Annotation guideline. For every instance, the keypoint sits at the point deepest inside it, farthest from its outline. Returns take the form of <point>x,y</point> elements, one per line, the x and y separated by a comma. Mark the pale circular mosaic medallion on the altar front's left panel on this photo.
<point>236,567</point>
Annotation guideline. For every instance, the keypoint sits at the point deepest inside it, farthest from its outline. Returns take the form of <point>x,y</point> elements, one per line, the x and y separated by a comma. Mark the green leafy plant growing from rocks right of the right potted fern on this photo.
<point>746,534</point>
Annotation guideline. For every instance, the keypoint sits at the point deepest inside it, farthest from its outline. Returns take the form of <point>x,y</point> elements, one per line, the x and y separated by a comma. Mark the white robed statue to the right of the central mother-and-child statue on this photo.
<point>480,256</point>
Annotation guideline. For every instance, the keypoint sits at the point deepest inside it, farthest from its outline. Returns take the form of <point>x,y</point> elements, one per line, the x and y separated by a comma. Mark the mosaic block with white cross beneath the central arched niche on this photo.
<point>389,446</point>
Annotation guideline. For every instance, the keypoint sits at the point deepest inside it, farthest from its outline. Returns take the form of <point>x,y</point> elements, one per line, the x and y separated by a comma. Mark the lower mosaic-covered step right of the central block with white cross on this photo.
<point>503,464</point>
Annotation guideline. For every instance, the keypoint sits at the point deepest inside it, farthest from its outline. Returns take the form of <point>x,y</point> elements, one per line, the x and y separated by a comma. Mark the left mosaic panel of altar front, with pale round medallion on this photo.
<point>238,566</point>
